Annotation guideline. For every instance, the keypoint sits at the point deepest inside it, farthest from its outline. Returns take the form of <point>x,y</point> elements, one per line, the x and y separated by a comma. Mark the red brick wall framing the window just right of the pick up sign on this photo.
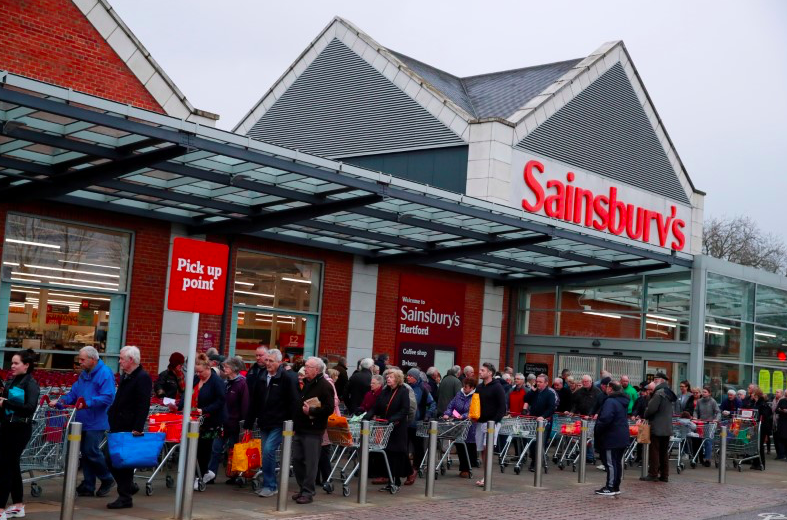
<point>337,283</point>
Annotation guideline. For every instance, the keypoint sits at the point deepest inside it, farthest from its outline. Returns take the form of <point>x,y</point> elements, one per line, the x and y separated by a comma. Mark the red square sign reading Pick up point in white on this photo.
<point>197,276</point>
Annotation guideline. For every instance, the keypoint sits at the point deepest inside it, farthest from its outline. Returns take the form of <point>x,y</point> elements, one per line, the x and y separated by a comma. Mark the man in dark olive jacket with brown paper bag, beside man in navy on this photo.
<point>659,413</point>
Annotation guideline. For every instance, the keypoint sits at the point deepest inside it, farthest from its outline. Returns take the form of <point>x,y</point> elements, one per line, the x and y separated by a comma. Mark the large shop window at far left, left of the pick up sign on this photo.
<point>63,287</point>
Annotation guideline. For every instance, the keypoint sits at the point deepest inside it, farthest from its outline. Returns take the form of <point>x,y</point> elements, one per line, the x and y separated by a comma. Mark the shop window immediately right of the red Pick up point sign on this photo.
<point>276,303</point>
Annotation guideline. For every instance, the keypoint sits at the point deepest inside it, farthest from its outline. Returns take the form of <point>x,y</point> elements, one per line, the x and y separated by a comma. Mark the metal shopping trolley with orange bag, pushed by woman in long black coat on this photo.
<point>349,438</point>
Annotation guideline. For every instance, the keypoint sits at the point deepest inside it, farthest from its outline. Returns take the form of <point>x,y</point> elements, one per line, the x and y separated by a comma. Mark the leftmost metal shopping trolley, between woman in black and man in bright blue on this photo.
<point>46,451</point>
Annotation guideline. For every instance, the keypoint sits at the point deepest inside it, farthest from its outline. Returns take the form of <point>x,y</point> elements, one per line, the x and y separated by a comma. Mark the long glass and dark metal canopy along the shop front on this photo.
<point>70,147</point>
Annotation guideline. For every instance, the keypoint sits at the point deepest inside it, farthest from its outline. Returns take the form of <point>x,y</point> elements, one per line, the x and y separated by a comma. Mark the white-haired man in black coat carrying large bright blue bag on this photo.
<point>128,413</point>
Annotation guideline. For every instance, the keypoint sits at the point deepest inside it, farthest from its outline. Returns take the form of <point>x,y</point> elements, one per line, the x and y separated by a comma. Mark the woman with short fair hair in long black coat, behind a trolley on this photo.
<point>393,405</point>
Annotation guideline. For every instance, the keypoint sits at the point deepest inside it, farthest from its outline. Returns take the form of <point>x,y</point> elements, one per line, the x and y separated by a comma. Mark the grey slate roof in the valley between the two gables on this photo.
<point>498,94</point>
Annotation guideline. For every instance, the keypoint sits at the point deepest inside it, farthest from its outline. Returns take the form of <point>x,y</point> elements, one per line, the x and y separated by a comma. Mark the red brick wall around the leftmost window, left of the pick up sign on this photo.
<point>149,268</point>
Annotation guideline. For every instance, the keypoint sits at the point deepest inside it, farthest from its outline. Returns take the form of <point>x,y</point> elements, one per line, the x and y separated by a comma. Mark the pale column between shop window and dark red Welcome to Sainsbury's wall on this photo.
<point>363,304</point>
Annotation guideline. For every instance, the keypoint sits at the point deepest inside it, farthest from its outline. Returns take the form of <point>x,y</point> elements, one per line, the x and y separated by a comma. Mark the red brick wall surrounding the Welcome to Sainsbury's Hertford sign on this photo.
<point>386,311</point>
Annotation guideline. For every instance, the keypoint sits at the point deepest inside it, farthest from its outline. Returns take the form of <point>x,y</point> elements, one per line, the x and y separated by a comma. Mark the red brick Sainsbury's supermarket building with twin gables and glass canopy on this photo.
<point>539,218</point>
